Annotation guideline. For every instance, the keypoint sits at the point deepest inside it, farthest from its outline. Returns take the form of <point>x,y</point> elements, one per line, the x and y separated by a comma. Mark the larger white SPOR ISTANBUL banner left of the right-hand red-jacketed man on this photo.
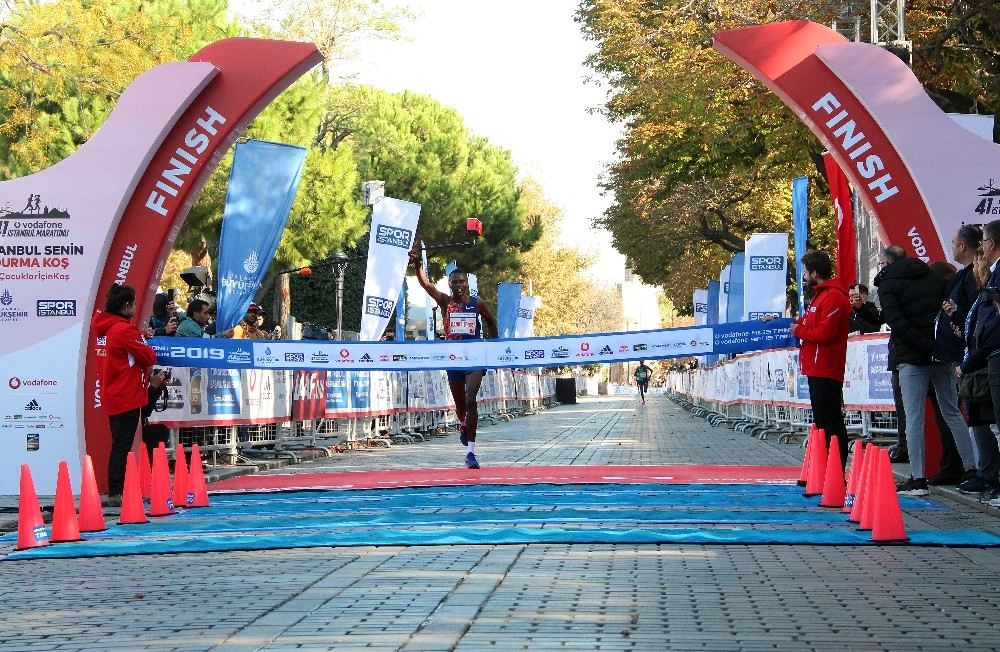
<point>764,276</point>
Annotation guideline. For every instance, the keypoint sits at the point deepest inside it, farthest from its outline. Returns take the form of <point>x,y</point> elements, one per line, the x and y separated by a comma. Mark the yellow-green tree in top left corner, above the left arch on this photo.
<point>63,65</point>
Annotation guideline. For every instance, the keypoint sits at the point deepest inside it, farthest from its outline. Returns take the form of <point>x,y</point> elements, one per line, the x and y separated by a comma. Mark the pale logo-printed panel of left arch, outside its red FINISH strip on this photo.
<point>55,230</point>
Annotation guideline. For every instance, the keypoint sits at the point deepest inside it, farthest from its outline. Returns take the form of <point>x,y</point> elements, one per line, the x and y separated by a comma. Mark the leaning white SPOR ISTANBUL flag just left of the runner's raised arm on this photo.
<point>393,224</point>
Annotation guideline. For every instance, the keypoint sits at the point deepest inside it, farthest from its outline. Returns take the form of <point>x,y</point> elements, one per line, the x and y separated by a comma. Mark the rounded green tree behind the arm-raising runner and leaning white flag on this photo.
<point>423,152</point>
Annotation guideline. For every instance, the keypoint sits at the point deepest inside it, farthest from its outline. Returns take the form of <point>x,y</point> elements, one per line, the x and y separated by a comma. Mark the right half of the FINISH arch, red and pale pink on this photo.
<point>922,175</point>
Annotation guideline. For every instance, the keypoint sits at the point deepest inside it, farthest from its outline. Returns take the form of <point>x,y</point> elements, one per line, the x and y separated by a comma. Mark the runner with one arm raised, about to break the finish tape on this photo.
<point>462,314</point>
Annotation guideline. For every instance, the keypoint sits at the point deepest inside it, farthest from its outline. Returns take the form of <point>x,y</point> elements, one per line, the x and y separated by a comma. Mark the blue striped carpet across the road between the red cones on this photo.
<point>491,514</point>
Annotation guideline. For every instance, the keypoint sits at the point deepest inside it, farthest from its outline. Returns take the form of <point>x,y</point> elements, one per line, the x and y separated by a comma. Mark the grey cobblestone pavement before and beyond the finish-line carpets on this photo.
<point>526,597</point>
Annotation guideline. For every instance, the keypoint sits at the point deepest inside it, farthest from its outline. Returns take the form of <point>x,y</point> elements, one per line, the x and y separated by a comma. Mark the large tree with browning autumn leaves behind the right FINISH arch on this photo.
<point>708,152</point>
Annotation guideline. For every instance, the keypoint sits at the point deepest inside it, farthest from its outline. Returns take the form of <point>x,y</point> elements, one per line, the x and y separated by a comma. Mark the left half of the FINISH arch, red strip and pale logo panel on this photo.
<point>110,213</point>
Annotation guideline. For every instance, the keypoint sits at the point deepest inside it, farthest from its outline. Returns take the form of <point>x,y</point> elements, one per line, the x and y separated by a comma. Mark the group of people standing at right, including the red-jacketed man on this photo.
<point>944,350</point>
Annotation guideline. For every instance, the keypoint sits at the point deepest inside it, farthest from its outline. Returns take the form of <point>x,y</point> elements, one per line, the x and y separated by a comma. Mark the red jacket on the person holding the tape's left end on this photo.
<point>120,363</point>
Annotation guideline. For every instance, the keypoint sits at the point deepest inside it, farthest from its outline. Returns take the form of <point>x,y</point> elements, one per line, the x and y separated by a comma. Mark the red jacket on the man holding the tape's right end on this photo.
<point>823,331</point>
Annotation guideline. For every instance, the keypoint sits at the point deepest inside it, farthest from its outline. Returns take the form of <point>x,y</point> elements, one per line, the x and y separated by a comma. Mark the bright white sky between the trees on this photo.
<point>514,70</point>
